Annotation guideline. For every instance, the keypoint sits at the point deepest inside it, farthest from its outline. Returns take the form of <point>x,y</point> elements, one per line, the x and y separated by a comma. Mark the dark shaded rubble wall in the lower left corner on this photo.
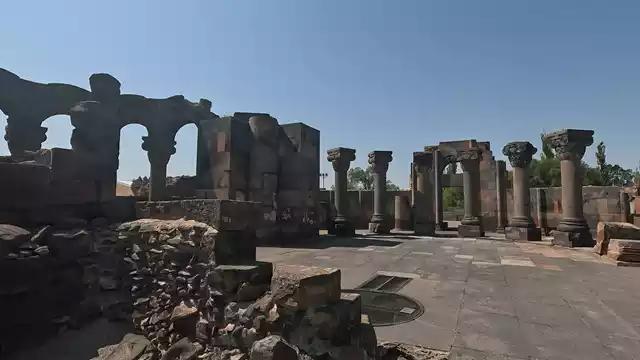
<point>58,276</point>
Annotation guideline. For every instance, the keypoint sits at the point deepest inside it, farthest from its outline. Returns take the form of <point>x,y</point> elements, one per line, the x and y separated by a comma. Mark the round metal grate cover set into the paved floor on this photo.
<point>385,308</point>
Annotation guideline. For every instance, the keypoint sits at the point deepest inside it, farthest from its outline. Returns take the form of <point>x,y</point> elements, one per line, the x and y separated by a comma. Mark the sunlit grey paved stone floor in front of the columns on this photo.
<point>491,299</point>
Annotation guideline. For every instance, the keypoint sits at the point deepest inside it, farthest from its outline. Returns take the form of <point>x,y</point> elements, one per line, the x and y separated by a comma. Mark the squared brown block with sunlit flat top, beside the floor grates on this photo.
<point>300,287</point>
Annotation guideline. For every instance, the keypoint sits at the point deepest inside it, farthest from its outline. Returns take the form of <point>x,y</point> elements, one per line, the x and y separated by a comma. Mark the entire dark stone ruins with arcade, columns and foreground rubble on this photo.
<point>179,261</point>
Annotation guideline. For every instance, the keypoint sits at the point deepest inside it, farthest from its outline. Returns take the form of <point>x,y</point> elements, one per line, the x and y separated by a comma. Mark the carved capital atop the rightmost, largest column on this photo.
<point>569,144</point>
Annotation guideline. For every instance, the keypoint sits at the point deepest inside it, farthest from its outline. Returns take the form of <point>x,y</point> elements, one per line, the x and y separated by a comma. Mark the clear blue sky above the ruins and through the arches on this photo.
<point>370,74</point>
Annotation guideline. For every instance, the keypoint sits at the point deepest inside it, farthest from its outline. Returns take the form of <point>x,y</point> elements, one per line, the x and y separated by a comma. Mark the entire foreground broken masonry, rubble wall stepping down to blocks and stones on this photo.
<point>189,306</point>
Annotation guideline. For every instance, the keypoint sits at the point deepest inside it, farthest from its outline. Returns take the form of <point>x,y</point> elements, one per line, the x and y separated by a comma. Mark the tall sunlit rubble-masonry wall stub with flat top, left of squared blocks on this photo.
<point>171,296</point>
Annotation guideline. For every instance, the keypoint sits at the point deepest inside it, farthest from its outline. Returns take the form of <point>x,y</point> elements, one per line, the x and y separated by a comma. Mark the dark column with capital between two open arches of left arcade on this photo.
<point>159,151</point>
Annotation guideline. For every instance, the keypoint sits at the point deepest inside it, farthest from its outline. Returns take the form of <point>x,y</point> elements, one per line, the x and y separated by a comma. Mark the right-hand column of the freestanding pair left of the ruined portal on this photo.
<point>380,160</point>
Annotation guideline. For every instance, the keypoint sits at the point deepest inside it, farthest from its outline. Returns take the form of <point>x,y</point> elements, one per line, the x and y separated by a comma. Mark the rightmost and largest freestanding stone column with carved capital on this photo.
<point>570,145</point>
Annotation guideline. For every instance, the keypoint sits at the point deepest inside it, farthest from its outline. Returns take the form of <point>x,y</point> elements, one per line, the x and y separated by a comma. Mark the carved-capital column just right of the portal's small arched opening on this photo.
<point>471,224</point>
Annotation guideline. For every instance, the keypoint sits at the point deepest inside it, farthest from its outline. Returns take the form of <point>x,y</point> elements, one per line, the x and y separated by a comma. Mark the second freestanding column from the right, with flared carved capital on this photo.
<point>521,226</point>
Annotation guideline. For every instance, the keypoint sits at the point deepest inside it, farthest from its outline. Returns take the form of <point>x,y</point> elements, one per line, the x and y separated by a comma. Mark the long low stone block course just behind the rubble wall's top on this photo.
<point>221,214</point>
